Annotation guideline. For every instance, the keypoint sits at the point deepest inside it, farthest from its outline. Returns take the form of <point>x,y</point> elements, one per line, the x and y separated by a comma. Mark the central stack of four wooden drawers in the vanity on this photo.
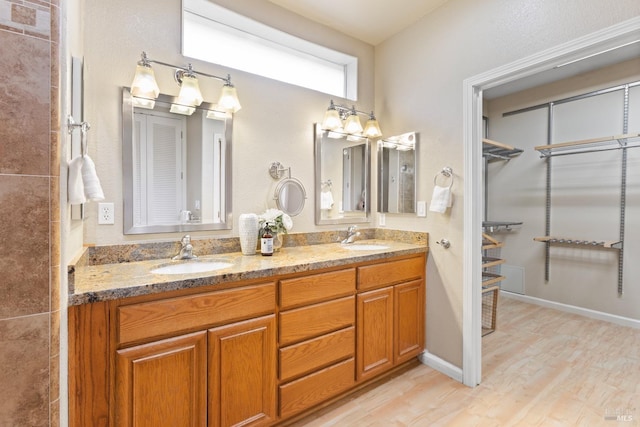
<point>317,339</point>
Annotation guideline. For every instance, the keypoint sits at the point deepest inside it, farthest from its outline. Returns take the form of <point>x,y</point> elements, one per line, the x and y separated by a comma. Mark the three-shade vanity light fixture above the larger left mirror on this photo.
<point>145,90</point>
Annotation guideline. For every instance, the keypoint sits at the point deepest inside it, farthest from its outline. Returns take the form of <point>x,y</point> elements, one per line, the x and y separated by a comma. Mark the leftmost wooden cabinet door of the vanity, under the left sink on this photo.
<point>163,383</point>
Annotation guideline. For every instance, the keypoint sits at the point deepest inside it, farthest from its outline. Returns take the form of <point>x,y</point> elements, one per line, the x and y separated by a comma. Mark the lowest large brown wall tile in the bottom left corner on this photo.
<point>24,366</point>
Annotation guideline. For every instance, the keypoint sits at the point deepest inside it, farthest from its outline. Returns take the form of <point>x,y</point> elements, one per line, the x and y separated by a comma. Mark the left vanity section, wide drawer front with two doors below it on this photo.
<point>217,376</point>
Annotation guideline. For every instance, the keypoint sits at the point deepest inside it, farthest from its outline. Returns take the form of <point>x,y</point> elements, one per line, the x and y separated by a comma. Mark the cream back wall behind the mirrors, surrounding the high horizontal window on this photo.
<point>275,123</point>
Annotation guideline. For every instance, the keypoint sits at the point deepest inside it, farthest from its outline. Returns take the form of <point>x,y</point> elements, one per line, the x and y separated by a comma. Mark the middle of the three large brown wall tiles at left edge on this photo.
<point>24,257</point>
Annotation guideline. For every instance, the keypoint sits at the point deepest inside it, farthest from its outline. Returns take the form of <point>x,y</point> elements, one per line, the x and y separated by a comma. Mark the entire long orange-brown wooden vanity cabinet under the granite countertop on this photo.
<point>251,354</point>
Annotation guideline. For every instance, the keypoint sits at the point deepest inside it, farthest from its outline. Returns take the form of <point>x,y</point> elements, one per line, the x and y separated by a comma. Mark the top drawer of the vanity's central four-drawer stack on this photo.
<point>317,287</point>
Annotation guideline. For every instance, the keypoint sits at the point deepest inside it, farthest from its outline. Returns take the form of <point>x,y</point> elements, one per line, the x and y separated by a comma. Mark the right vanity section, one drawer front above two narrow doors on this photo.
<point>391,306</point>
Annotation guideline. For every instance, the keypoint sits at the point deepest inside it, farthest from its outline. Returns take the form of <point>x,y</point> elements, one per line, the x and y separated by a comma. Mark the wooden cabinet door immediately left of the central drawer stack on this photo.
<point>242,373</point>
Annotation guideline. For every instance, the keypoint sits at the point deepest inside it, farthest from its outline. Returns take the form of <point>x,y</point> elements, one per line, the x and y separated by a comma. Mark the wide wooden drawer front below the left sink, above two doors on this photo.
<point>176,315</point>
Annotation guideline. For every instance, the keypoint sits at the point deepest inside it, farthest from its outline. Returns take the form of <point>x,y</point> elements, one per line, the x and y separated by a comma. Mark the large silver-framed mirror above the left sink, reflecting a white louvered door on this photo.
<point>176,168</point>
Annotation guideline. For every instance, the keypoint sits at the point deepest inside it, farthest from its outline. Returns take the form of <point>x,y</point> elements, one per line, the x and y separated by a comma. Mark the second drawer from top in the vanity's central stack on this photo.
<point>315,320</point>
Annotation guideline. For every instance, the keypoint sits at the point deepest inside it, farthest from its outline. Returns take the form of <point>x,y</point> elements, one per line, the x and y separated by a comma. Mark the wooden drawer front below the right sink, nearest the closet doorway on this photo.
<point>387,273</point>
